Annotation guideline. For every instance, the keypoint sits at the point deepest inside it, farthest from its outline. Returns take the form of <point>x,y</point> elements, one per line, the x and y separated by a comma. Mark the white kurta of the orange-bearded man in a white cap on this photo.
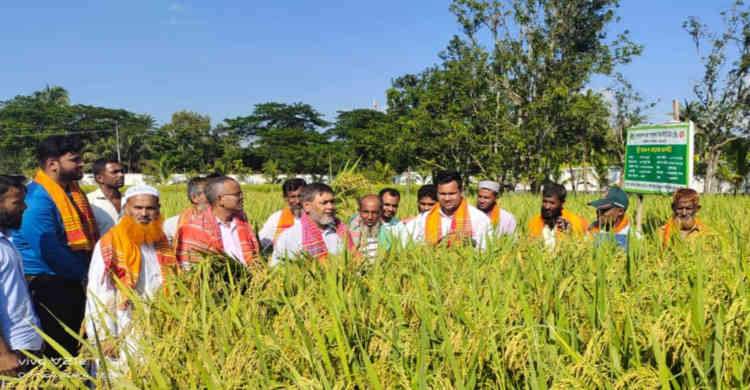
<point>103,297</point>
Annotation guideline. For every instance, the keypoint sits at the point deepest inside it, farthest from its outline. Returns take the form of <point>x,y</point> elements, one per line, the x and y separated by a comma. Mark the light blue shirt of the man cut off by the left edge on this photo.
<point>17,314</point>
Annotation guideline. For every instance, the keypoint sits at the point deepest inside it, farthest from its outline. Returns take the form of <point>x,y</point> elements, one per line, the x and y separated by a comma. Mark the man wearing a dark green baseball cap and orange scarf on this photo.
<point>611,222</point>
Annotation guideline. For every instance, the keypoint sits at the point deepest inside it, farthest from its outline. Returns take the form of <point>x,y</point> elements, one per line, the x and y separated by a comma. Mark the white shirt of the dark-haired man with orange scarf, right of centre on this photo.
<point>481,227</point>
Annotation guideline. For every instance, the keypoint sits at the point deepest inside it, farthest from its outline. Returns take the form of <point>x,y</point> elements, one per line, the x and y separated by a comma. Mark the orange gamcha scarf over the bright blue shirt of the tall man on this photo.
<point>77,217</point>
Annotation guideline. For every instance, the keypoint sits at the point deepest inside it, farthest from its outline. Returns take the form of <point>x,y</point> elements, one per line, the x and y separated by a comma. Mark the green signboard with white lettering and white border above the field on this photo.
<point>659,158</point>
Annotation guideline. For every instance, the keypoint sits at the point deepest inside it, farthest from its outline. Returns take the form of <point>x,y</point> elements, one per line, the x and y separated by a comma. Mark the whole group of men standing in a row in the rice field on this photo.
<point>66,256</point>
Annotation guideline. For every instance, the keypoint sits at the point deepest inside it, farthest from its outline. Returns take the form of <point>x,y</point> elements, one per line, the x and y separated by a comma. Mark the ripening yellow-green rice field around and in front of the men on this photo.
<point>513,317</point>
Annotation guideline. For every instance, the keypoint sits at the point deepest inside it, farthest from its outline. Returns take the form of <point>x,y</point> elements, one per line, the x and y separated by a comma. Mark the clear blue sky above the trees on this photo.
<point>222,57</point>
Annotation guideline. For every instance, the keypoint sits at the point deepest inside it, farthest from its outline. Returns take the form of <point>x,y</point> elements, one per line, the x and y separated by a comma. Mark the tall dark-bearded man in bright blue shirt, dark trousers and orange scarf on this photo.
<point>56,238</point>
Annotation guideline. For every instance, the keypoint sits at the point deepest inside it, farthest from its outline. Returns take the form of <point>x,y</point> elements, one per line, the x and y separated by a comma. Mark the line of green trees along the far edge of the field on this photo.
<point>508,100</point>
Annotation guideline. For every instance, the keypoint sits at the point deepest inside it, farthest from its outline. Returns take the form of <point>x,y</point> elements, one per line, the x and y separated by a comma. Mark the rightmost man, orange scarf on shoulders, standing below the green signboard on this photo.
<point>683,224</point>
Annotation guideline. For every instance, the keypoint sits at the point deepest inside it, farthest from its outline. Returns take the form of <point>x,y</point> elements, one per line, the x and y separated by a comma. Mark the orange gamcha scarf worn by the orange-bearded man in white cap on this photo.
<point>120,248</point>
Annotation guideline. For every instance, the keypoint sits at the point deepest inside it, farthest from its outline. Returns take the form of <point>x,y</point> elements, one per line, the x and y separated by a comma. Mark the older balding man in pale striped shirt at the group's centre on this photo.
<point>368,231</point>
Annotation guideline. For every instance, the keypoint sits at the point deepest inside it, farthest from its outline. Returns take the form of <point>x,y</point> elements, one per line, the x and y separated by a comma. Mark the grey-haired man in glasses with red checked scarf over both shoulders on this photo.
<point>221,227</point>
